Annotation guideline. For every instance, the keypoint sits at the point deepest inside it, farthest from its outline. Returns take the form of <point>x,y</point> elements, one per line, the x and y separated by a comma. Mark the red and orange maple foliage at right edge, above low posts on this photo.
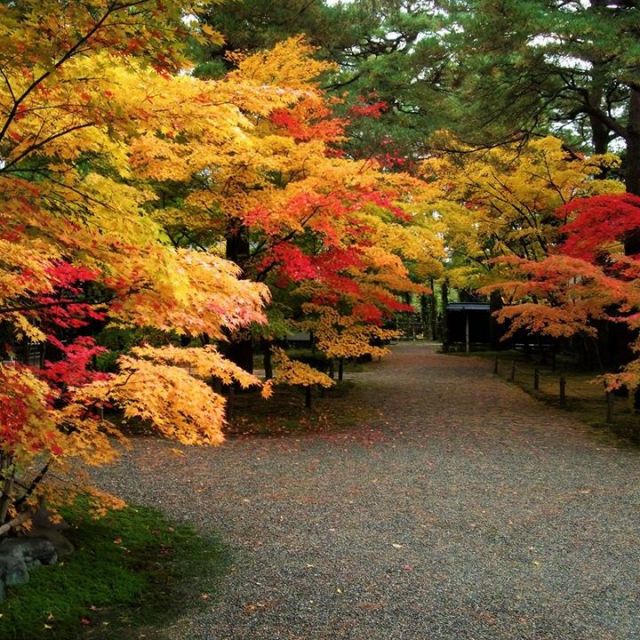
<point>589,277</point>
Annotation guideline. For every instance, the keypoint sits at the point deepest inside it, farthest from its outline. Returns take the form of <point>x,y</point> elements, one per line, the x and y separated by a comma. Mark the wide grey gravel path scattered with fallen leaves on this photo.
<point>464,511</point>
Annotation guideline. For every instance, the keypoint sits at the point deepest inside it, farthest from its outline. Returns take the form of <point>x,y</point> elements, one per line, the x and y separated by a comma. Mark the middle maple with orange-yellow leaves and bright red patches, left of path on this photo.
<point>314,225</point>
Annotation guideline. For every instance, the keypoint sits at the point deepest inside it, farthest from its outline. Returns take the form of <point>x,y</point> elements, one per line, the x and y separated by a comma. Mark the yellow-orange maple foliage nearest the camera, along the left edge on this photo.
<point>84,87</point>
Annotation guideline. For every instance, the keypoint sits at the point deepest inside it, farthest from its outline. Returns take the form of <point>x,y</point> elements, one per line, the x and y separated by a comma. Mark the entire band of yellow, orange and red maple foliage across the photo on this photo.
<point>152,220</point>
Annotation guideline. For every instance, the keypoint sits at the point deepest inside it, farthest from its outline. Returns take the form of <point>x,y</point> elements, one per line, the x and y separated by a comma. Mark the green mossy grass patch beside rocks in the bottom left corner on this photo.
<point>129,570</point>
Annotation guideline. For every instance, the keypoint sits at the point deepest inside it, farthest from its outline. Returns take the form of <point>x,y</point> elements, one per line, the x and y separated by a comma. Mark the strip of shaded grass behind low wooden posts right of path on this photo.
<point>585,396</point>
